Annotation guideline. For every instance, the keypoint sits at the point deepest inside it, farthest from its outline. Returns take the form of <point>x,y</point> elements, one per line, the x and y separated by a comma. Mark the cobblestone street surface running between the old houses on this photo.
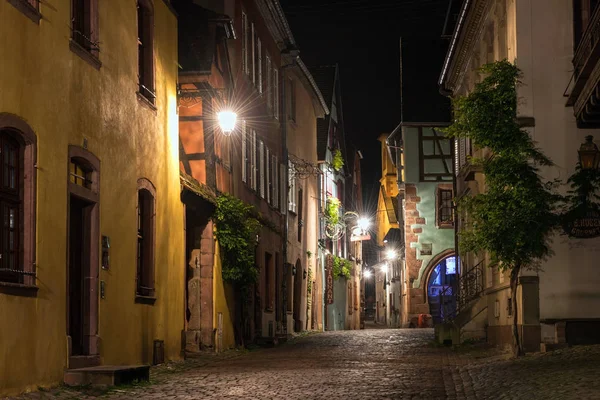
<point>368,364</point>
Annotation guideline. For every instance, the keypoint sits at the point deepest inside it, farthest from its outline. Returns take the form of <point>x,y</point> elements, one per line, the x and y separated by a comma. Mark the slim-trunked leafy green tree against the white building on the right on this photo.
<point>513,220</point>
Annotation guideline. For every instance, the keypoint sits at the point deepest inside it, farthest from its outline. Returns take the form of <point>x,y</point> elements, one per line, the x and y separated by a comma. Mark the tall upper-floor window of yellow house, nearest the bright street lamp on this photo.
<point>146,50</point>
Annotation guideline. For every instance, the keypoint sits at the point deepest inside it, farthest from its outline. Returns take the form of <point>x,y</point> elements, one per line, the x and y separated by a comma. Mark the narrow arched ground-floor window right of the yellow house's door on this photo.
<point>145,242</point>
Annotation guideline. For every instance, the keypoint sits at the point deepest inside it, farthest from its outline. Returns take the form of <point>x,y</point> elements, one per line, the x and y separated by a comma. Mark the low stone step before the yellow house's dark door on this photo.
<point>107,375</point>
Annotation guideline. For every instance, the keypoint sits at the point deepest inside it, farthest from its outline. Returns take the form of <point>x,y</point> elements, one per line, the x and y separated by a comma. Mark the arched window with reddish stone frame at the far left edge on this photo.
<point>17,201</point>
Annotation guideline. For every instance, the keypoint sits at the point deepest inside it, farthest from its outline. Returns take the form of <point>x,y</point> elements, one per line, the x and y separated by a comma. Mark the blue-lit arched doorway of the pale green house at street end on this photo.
<point>440,286</point>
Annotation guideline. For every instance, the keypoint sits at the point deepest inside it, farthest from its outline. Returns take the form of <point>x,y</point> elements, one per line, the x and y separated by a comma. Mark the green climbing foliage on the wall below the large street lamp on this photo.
<point>236,232</point>
